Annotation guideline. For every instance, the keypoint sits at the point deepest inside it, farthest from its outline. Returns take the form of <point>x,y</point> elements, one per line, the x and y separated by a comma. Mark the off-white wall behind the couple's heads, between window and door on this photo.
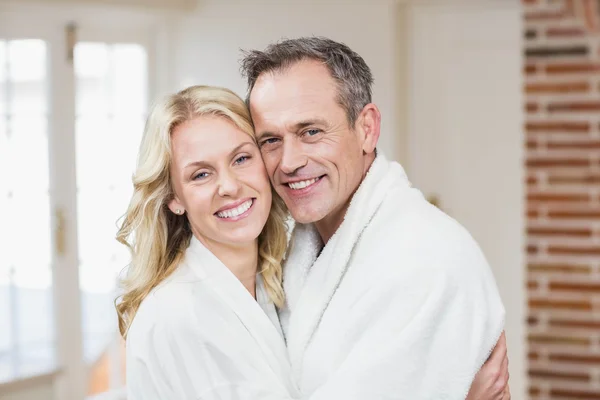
<point>207,43</point>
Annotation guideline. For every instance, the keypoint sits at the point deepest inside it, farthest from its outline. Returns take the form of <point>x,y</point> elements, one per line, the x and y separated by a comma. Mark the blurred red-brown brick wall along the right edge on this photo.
<point>562,86</point>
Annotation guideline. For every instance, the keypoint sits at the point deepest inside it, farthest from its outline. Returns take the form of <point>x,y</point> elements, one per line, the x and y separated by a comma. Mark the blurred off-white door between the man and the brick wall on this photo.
<point>465,139</point>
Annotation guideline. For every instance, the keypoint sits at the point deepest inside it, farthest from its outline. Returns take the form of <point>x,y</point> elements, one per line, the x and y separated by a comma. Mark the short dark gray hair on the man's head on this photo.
<point>348,69</point>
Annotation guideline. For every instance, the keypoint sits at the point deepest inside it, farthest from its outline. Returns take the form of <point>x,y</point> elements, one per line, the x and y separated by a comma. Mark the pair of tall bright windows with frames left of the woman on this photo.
<point>109,105</point>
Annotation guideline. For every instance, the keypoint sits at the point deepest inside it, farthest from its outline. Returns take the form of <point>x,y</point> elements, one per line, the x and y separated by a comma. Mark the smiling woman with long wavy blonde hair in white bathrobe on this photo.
<point>207,237</point>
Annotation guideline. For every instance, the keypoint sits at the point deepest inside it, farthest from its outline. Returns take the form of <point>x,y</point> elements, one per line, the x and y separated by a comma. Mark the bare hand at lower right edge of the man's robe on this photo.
<point>491,382</point>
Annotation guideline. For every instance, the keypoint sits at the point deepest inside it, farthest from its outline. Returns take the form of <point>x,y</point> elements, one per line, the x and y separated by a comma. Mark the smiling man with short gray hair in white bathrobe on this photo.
<point>387,297</point>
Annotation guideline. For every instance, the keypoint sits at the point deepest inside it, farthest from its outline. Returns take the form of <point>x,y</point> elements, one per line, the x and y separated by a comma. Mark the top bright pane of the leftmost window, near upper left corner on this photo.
<point>27,76</point>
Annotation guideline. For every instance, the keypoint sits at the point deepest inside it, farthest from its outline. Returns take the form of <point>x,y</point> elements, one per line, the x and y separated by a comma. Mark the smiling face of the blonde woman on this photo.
<point>219,181</point>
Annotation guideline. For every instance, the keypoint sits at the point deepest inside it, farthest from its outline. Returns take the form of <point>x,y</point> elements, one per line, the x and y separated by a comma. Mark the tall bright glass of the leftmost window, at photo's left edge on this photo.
<point>26,312</point>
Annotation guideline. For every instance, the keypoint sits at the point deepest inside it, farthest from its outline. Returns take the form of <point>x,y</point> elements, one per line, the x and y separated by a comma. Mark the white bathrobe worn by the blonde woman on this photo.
<point>201,335</point>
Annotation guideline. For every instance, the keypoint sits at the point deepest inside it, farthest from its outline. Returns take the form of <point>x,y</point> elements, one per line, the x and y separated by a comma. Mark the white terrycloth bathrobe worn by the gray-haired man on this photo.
<point>400,304</point>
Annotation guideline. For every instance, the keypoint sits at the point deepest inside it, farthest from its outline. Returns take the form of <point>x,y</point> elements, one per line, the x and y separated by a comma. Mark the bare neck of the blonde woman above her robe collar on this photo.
<point>241,260</point>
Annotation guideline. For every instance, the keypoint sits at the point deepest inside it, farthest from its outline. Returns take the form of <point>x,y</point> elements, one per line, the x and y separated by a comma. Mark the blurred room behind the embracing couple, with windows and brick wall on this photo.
<point>492,106</point>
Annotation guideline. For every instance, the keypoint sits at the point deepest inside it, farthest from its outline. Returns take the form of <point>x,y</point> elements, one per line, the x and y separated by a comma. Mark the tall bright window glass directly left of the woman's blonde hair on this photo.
<point>111,87</point>
